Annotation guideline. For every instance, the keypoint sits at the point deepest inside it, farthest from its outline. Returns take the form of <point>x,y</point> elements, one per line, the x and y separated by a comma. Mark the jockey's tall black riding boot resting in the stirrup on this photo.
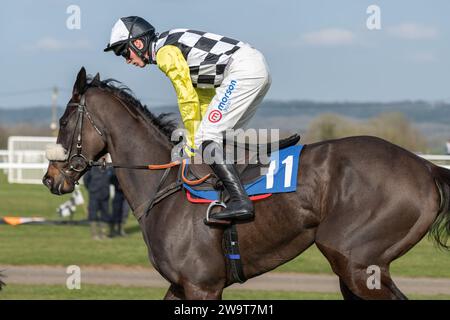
<point>239,207</point>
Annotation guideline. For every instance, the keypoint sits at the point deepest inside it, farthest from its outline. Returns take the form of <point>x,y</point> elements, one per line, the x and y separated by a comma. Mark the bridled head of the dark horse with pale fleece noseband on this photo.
<point>79,141</point>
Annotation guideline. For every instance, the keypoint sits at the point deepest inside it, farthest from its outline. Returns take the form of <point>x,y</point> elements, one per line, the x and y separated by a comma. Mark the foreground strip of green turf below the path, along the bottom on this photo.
<point>95,292</point>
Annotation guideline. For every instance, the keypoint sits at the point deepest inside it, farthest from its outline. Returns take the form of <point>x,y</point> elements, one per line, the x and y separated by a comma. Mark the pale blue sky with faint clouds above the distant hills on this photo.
<point>316,49</point>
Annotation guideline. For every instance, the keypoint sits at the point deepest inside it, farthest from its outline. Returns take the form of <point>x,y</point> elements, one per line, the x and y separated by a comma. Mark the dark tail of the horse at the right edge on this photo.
<point>440,229</point>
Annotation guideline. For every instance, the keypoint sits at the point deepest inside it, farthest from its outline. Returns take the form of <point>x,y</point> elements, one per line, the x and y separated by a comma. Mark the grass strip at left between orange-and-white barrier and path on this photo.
<point>65,245</point>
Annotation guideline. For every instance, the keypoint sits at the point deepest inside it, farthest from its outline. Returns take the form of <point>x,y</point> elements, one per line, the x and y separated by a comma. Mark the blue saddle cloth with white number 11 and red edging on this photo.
<point>277,176</point>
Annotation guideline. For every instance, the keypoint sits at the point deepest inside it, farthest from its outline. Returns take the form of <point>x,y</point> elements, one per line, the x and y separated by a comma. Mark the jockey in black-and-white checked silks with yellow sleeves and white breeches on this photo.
<point>219,83</point>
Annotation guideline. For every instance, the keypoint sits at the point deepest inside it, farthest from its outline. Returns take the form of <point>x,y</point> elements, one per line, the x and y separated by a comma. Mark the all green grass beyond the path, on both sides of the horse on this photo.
<point>66,245</point>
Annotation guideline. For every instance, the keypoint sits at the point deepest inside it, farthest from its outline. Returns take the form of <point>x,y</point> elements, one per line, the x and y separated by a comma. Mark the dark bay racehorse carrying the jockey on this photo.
<point>362,200</point>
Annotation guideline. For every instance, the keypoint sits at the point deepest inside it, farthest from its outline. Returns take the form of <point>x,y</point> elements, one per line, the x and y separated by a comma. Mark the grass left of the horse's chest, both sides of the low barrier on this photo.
<point>58,244</point>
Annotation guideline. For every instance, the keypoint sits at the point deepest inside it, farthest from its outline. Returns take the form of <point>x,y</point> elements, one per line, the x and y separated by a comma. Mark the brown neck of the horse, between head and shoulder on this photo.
<point>144,145</point>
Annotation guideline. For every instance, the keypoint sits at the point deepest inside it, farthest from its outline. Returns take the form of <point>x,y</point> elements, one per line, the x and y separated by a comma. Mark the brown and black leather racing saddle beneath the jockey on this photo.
<point>249,170</point>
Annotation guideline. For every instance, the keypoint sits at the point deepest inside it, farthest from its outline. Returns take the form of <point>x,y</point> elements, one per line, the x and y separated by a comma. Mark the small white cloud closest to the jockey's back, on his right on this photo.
<point>329,37</point>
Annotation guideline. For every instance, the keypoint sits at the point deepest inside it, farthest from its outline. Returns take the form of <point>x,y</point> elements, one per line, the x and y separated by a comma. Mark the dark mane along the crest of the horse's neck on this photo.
<point>163,122</point>
